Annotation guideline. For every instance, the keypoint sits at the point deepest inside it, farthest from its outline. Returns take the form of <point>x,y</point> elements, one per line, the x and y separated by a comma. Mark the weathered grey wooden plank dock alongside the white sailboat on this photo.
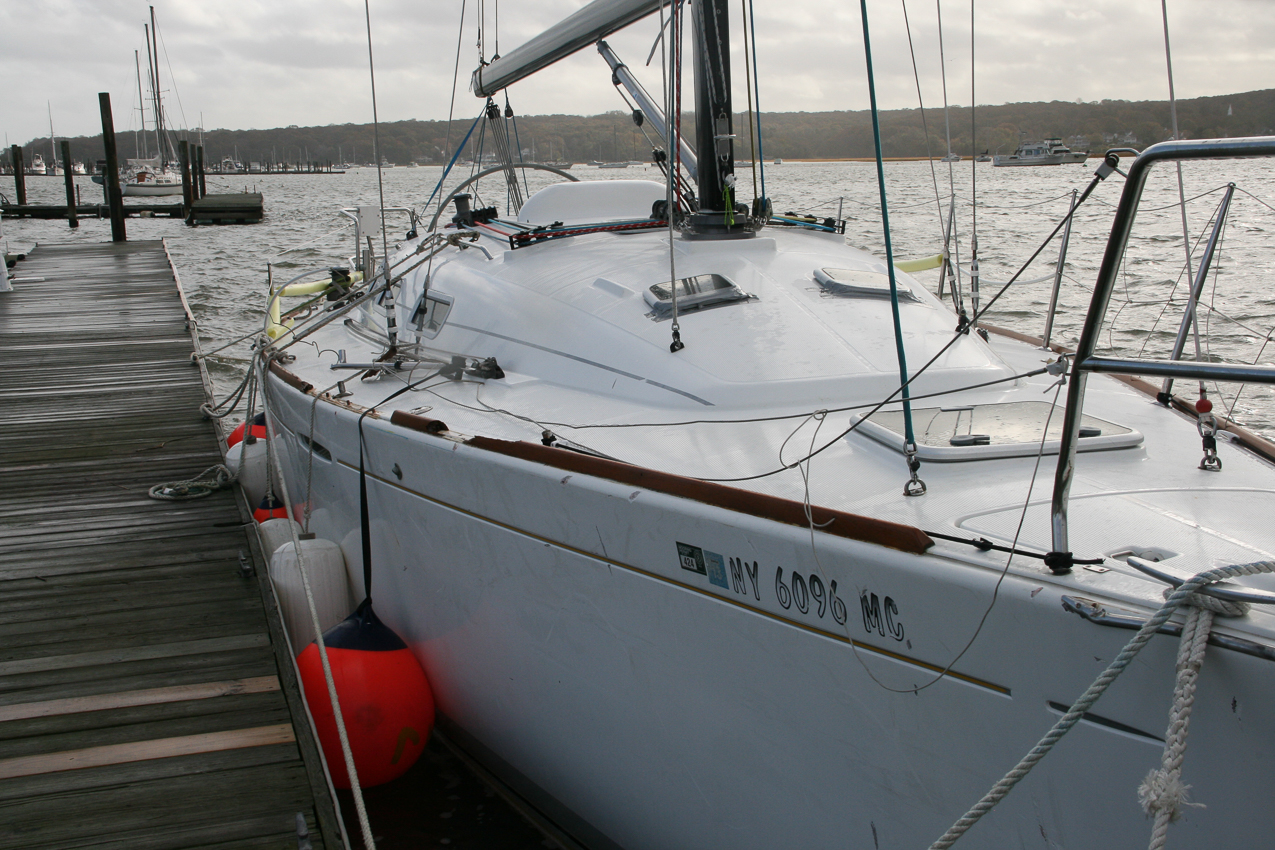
<point>145,684</point>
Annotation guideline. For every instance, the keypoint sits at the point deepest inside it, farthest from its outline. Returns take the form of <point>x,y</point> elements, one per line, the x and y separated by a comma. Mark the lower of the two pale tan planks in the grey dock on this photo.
<point>142,751</point>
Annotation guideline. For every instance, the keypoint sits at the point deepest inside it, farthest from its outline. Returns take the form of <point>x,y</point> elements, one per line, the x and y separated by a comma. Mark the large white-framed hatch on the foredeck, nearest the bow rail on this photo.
<point>984,431</point>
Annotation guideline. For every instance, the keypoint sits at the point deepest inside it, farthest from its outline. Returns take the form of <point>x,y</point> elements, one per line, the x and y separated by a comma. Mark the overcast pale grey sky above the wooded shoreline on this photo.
<point>261,64</point>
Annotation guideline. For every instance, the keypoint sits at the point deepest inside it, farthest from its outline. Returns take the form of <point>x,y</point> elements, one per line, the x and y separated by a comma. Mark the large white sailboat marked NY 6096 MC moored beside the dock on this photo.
<point>645,503</point>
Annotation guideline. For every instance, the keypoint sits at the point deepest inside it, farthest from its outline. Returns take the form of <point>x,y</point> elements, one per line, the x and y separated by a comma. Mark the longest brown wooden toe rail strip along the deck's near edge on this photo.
<point>894,536</point>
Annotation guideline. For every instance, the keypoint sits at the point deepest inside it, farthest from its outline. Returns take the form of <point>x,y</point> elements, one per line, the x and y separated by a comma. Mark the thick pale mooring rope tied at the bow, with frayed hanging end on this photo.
<point>1161,792</point>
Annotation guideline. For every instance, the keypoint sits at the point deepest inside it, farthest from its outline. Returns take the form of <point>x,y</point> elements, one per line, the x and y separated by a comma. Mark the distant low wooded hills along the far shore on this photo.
<point>790,136</point>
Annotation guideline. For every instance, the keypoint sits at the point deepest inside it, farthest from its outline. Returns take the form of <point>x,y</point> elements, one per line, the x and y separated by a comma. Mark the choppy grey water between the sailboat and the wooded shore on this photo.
<point>224,270</point>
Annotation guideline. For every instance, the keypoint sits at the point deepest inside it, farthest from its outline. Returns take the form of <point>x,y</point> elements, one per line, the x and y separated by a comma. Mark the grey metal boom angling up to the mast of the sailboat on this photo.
<point>594,22</point>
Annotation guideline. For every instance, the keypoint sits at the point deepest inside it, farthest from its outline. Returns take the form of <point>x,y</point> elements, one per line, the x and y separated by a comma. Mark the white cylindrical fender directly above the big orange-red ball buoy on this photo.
<point>326,569</point>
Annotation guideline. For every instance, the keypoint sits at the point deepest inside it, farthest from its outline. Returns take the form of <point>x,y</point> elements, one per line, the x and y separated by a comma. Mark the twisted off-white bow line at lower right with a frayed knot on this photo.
<point>1162,792</point>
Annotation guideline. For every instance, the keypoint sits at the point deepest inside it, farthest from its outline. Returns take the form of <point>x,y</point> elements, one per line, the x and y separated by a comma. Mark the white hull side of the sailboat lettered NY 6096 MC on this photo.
<point>661,671</point>
